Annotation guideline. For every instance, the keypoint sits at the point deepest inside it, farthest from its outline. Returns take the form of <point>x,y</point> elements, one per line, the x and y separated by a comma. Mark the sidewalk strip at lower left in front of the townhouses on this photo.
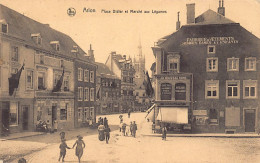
<point>20,135</point>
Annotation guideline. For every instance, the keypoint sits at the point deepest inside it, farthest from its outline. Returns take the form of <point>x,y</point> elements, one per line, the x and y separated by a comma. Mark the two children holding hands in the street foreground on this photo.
<point>79,147</point>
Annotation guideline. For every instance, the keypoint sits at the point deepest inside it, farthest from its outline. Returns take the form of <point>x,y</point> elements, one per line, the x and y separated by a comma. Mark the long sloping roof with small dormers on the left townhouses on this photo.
<point>21,27</point>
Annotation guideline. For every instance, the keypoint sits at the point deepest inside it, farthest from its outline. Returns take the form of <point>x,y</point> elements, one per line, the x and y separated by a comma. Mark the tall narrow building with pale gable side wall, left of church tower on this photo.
<point>123,69</point>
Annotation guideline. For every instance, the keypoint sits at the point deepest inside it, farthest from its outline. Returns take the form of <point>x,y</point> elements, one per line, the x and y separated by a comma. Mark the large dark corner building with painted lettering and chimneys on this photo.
<point>215,61</point>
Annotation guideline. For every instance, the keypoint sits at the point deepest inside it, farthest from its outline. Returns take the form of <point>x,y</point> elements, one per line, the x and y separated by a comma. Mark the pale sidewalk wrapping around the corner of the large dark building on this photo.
<point>147,131</point>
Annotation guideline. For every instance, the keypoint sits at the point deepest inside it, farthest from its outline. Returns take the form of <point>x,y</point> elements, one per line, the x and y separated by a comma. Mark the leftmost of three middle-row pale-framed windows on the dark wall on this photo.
<point>212,89</point>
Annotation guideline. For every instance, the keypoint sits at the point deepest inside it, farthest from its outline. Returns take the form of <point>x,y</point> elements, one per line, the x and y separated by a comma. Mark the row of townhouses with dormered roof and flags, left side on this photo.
<point>48,56</point>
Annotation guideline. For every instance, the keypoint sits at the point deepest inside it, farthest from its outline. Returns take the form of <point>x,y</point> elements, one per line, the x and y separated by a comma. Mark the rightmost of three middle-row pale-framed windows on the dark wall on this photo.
<point>250,90</point>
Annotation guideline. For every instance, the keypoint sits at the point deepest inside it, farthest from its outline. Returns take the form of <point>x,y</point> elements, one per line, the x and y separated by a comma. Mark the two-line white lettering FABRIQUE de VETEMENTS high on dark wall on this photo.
<point>210,41</point>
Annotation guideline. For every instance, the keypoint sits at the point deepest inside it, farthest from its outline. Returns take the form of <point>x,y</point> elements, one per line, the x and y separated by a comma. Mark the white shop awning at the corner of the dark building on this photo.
<point>177,115</point>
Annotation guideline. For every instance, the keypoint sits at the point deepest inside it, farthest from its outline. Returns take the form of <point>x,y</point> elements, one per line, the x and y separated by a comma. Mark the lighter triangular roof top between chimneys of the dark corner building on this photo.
<point>212,17</point>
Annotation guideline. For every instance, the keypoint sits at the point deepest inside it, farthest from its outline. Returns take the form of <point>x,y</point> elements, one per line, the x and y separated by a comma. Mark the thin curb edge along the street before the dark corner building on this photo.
<point>203,136</point>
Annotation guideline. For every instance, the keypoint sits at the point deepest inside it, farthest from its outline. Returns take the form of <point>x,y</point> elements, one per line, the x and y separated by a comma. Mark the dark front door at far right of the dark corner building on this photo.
<point>249,120</point>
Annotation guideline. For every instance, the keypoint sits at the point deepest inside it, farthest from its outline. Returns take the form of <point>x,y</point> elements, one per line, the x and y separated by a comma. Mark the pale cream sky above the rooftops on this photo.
<point>123,32</point>
